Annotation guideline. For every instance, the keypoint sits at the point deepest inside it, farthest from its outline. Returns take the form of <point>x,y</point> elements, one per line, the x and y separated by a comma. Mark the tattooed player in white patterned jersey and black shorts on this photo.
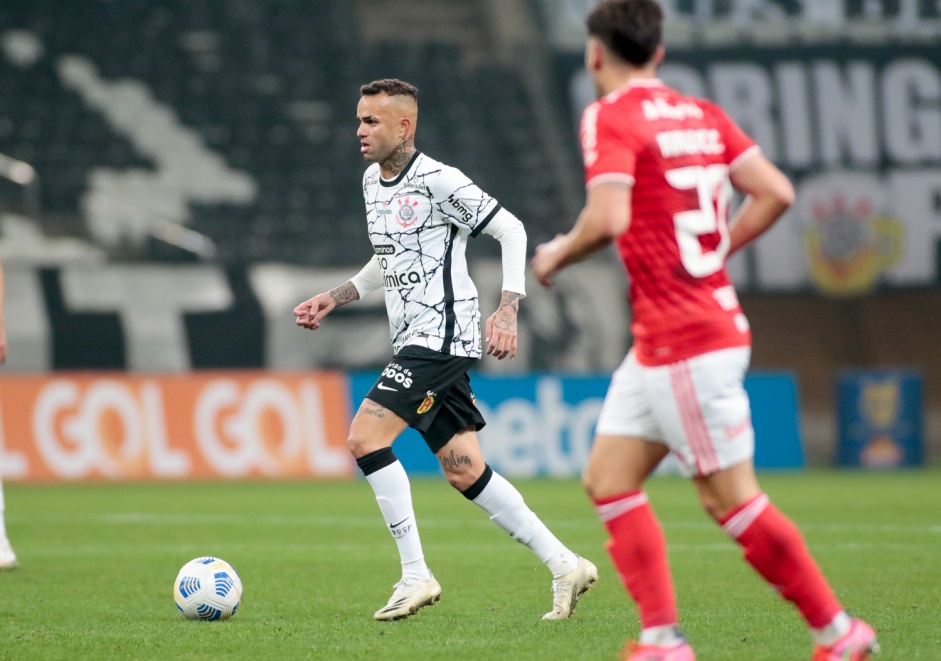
<point>420,214</point>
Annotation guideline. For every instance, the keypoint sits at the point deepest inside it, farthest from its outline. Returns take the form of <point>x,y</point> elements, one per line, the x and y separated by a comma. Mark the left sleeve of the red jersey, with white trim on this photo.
<point>608,150</point>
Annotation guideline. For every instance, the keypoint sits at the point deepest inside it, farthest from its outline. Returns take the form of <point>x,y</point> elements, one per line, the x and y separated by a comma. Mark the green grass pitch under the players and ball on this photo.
<point>97,563</point>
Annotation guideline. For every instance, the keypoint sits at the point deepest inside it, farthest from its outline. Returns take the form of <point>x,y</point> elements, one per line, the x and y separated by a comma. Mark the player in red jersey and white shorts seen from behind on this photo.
<point>660,168</point>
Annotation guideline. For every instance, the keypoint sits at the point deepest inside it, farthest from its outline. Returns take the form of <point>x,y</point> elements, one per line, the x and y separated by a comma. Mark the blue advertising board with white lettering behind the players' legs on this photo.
<point>543,425</point>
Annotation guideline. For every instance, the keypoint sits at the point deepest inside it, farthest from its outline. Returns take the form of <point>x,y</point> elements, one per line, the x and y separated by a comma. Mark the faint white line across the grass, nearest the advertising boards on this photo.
<point>150,518</point>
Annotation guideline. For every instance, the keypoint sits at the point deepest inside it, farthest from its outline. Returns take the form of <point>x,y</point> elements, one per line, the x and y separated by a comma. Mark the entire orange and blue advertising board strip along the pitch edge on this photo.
<point>86,426</point>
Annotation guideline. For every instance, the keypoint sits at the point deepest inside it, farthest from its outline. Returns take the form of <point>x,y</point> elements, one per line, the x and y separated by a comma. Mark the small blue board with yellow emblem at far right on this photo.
<point>880,418</point>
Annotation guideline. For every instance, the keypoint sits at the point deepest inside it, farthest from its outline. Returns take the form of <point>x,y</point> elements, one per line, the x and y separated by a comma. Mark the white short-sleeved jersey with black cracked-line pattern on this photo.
<point>419,224</point>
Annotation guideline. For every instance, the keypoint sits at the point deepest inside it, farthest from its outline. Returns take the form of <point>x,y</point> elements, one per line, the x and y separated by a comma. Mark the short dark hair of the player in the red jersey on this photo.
<point>631,29</point>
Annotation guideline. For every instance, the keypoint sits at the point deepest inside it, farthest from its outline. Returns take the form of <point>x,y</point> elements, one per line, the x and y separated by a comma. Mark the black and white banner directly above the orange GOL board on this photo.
<point>151,318</point>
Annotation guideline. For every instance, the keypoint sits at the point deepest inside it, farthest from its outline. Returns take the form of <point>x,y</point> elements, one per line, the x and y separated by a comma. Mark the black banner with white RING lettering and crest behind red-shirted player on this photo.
<point>858,129</point>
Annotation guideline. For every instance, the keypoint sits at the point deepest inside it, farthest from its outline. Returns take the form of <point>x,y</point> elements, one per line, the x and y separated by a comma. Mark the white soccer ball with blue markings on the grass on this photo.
<point>207,589</point>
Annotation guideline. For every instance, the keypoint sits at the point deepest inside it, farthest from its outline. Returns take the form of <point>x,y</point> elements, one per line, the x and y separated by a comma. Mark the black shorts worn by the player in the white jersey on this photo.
<point>431,392</point>
